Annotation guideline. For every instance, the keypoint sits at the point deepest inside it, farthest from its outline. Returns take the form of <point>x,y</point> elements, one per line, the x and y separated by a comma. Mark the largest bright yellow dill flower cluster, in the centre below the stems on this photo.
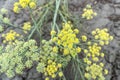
<point>67,39</point>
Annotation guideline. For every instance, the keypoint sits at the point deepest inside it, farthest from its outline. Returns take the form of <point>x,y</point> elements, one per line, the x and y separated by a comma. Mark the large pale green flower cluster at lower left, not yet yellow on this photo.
<point>18,57</point>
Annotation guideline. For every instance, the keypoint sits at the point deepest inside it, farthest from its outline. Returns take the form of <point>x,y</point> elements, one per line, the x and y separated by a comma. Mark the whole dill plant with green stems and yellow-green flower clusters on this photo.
<point>66,46</point>
